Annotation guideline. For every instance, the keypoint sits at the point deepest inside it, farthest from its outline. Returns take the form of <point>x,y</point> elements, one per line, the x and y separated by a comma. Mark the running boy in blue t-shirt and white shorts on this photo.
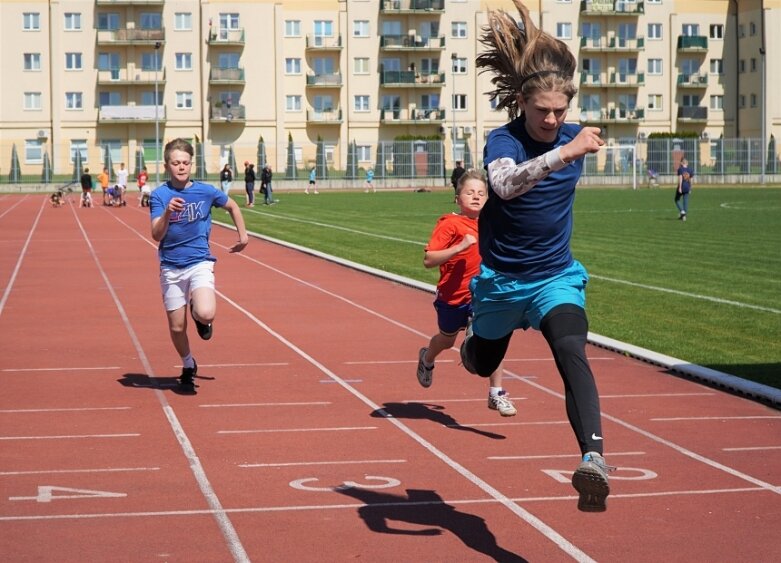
<point>181,223</point>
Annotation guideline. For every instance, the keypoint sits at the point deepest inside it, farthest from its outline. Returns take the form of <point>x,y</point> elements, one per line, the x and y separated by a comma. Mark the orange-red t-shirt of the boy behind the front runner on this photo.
<point>456,273</point>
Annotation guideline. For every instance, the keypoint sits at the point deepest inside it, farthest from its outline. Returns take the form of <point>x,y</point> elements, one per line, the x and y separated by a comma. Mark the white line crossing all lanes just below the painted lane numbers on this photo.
<point>353,506</point>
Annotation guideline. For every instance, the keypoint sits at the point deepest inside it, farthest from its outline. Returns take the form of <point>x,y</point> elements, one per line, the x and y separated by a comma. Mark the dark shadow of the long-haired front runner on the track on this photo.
<point>426,508</point>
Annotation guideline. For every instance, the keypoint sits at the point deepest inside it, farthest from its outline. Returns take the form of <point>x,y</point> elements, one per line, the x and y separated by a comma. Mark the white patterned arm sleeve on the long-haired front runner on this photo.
<point>510,180</point>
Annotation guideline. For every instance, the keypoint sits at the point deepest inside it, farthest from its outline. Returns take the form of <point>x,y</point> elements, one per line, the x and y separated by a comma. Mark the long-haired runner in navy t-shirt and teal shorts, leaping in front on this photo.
<point>528,277</point>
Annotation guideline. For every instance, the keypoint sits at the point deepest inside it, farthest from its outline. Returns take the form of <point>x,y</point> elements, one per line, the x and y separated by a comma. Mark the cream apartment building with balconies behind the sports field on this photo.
<point>124,76</point>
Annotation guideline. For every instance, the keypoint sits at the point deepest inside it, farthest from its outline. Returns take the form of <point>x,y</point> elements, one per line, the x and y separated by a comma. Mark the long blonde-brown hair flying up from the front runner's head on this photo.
<point>524,59</point>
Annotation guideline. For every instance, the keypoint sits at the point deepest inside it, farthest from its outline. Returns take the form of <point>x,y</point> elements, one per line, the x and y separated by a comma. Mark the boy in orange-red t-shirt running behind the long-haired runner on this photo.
<point>453,247</point>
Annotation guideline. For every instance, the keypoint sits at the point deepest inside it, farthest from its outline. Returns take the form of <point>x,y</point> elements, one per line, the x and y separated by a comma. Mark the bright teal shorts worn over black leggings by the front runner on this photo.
<point>503,304</point>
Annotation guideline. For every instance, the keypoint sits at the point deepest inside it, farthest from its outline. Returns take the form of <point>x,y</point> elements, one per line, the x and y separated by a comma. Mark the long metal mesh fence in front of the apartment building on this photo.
<point>721,160</point>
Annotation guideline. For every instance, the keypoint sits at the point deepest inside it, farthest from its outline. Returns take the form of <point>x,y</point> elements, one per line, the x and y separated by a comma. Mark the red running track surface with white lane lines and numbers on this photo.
<point>101,459</point>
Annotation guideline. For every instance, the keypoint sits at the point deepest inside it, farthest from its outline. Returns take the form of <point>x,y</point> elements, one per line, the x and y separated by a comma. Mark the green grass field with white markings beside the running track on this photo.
<point>706,291</point>
